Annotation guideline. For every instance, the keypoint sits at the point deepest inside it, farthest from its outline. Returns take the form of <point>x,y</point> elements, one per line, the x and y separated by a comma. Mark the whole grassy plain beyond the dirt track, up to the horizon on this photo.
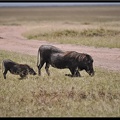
<point>91,26</point>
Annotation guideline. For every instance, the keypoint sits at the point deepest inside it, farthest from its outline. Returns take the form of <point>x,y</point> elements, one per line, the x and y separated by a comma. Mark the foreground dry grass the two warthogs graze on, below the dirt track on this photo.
<point>58,95</point>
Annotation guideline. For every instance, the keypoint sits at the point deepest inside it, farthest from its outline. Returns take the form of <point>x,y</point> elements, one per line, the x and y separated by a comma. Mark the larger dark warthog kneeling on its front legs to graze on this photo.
<point>57,58</point>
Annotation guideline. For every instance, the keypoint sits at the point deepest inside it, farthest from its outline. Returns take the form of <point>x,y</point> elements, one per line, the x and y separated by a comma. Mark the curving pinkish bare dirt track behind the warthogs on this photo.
<point>12,40</point>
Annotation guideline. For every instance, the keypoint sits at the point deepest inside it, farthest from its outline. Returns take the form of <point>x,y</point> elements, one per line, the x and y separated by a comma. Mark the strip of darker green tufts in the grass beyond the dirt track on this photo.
<point>75,33</point>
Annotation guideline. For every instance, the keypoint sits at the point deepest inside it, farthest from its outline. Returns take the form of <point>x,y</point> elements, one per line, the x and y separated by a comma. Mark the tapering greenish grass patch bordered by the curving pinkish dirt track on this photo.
<point>98,37</point>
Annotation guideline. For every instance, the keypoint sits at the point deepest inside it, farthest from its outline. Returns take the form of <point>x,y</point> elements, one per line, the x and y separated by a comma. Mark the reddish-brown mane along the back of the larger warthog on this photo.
<point>75,55</point>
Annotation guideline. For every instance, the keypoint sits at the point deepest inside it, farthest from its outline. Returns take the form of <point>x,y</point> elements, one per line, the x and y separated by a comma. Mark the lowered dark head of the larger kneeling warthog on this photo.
<point>88,62</point>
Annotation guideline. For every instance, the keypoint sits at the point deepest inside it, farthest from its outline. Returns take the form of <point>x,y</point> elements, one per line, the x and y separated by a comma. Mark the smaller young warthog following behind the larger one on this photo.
<point>17,69</point>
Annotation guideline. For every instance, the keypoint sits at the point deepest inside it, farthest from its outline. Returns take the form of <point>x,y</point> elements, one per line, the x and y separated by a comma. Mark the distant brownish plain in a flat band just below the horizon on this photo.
<point>73,14</point>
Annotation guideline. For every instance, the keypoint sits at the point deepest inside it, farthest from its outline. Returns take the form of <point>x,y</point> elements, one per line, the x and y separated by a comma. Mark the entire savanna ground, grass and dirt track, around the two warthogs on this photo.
<point>92,30</point>
